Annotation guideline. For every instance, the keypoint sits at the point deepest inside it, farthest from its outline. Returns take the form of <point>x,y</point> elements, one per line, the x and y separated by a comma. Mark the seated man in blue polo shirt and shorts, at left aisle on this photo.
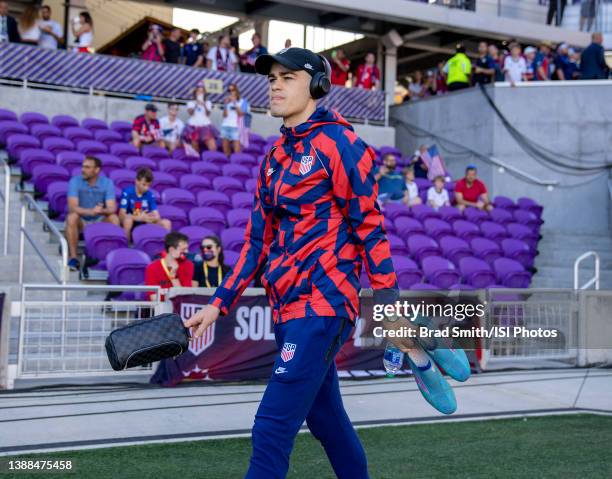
<point>91,199</point>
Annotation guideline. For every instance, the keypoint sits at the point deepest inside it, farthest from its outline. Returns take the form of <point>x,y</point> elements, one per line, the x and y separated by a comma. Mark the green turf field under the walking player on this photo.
<point>569,446</point>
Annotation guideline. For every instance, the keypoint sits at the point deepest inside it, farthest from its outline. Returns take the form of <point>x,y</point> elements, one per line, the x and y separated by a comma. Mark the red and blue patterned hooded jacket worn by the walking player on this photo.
<point>314,219</point>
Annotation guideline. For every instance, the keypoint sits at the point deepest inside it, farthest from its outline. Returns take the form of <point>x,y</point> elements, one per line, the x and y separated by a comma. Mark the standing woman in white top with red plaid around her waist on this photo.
<point>199,131</point>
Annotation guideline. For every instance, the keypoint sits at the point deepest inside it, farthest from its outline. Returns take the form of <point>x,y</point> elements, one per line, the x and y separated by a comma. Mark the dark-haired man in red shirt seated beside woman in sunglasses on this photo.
<point>173,269</point>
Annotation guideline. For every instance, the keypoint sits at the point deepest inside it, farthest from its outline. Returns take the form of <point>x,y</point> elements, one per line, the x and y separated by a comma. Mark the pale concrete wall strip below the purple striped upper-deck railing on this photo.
<point>110,109</point>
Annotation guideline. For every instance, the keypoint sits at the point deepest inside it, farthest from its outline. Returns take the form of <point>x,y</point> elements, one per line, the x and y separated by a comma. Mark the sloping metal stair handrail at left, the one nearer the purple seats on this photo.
<point>62,278</point>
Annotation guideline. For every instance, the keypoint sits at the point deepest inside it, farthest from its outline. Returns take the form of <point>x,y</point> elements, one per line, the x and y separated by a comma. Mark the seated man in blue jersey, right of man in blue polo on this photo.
<point>138,206</point>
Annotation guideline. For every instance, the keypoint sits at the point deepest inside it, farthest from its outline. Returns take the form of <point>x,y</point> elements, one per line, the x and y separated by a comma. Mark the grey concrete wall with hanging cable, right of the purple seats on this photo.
<point>568,118</point>
